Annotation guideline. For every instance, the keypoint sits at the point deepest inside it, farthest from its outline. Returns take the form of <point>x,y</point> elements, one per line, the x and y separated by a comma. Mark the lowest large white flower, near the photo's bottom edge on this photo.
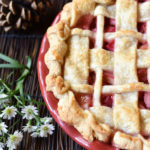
<point>14,140</point>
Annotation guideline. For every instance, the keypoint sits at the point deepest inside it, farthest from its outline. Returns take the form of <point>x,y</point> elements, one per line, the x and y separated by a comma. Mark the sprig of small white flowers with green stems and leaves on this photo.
<point>14,101</point>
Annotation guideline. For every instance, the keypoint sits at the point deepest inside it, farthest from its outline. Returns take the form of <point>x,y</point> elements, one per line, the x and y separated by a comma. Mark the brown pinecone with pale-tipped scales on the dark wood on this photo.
<point>22,14</point>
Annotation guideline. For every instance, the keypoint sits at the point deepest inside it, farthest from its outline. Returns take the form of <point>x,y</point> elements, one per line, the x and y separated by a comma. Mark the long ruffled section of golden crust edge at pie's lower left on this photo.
<point>69,109</point>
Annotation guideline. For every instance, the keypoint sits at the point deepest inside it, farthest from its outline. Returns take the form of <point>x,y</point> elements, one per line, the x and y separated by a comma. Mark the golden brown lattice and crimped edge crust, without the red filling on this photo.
<point>88,122</point>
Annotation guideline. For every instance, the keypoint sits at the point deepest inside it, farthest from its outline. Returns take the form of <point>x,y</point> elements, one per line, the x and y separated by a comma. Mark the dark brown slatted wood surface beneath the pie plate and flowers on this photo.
<point>18,45</point>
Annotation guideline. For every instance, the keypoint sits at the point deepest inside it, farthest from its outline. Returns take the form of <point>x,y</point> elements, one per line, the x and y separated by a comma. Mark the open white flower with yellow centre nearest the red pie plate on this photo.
<point>46,129</point>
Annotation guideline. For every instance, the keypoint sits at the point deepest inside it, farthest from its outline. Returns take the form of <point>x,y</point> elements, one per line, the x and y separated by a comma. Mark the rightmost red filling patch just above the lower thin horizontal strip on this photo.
<point>142,75</point>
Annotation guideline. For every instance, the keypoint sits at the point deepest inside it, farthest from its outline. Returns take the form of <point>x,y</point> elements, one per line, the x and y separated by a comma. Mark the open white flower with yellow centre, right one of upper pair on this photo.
<point>29,112</point>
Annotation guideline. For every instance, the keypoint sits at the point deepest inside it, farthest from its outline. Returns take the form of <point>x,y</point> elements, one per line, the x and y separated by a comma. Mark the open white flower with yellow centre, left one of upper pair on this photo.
<point>9,112</point>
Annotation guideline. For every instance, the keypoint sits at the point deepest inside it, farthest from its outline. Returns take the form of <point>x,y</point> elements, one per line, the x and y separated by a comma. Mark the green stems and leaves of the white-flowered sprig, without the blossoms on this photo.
<point>15,93</point>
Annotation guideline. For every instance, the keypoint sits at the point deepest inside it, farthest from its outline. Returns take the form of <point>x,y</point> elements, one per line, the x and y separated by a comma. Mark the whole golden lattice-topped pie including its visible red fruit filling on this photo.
<point>99,69</point>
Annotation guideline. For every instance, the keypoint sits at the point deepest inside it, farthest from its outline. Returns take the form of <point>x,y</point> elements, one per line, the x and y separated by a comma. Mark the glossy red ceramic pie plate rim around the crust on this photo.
<point>52,102</point>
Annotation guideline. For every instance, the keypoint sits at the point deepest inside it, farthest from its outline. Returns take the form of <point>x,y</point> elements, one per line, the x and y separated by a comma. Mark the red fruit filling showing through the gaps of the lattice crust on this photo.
<point>85,100</point>
